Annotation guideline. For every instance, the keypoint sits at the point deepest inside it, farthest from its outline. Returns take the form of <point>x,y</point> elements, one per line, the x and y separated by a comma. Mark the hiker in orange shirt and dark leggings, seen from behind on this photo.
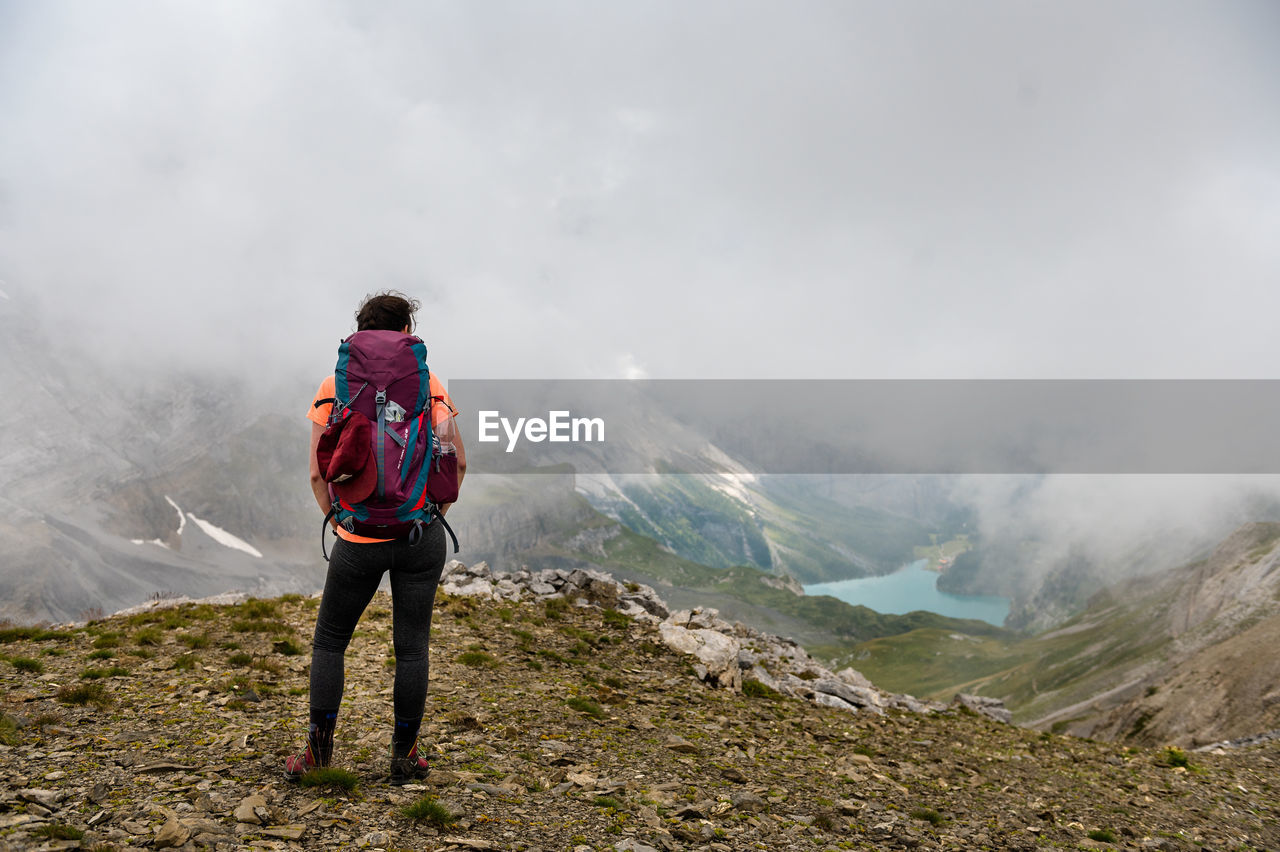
<point>358,564</point>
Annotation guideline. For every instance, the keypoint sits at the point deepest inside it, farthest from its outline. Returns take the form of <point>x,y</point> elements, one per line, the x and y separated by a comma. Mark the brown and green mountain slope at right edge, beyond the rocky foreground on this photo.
<point>1182,657</point>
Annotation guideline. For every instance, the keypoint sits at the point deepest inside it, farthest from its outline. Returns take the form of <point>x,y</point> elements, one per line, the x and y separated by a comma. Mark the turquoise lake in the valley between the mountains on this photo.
<point>909,589</point>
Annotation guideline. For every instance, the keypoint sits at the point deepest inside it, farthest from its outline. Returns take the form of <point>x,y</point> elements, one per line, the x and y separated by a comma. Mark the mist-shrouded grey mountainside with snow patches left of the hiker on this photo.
<point>130,480</point>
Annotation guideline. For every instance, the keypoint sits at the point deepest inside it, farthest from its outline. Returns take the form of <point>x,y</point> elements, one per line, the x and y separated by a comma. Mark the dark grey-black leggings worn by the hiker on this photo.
<point>355,572</point>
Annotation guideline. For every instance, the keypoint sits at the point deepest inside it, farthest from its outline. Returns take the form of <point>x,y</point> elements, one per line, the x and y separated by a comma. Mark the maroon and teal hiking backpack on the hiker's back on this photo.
<point>388,471</point>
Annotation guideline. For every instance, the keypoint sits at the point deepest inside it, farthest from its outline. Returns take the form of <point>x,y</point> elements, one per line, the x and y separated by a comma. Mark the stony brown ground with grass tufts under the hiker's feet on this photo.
<point>555,726</point>
